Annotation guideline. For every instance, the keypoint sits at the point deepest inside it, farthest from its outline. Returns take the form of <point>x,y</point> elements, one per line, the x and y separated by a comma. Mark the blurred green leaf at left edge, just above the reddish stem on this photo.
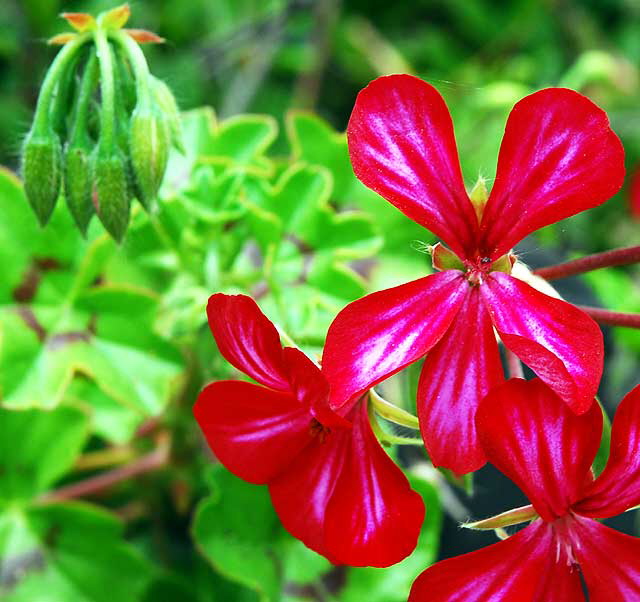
<point>37,448</point>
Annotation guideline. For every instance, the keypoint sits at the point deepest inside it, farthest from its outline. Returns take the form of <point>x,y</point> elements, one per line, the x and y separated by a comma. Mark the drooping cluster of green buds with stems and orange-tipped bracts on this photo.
<point>103,125</point>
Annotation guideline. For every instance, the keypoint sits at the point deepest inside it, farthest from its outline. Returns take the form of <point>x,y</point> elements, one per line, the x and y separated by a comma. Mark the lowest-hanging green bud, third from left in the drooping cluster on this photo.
<point>111,195</point>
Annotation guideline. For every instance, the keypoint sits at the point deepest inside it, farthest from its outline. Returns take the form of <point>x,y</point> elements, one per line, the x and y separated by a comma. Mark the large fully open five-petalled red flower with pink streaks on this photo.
<point>558,157</point>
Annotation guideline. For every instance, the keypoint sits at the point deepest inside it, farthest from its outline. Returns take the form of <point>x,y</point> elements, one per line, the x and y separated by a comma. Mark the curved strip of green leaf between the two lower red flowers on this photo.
<point>393,584</point>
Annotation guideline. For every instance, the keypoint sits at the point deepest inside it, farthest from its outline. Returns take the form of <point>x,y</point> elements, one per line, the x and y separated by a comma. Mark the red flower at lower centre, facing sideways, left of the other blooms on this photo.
<point>331,483</point>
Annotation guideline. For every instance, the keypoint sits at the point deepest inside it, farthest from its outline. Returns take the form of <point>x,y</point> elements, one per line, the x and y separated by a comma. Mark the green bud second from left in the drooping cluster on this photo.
<point>78,184</point>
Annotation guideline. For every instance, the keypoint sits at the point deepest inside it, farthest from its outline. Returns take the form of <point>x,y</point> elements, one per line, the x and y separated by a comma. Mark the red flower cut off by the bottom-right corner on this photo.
<point>547,451</point>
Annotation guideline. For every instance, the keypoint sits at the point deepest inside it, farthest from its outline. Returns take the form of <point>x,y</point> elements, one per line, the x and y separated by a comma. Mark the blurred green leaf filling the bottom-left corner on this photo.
<point>71,552</point>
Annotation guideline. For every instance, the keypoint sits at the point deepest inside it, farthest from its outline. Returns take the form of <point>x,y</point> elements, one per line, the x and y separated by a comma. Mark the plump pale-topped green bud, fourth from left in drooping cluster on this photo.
<point>149,152</point>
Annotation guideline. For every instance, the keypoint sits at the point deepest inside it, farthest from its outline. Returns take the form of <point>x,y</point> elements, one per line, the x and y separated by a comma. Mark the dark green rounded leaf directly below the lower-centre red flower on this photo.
<point>236,530</point>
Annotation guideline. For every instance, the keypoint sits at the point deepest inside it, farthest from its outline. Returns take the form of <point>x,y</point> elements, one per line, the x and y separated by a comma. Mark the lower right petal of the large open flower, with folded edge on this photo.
<point>555,339</point>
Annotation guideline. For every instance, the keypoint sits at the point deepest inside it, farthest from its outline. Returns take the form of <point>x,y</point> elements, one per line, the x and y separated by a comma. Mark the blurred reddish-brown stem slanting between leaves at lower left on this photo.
<point>151,461</point>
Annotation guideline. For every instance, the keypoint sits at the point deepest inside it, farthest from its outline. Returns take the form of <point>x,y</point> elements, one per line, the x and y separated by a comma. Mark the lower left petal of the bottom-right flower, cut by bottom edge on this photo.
<point>508,571</point>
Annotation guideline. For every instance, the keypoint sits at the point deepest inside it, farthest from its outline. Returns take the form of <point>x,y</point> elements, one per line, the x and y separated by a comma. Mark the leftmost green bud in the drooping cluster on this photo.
<point>41,171</point>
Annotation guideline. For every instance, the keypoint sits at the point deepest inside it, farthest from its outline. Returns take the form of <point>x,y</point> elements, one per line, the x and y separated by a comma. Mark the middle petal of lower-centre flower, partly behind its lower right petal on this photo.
<point>301,494</point>
